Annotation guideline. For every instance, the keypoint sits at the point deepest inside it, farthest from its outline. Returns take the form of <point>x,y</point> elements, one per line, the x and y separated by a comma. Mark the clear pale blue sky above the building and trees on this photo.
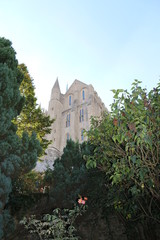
<point>106,43</point>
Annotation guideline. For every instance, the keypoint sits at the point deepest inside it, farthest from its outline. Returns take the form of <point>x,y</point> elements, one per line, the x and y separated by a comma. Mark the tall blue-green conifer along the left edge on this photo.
<point>16,154</point>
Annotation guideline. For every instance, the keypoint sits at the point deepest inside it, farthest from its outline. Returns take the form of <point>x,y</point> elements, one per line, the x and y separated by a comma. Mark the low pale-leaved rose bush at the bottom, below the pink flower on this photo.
<point>58,226</point>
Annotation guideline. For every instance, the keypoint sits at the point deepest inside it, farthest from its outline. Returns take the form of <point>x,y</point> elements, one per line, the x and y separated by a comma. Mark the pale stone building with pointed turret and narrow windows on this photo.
<point>72,112</point>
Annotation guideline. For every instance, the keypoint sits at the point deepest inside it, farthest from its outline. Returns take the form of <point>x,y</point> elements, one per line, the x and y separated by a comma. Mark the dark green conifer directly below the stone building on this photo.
<point>68,178</point>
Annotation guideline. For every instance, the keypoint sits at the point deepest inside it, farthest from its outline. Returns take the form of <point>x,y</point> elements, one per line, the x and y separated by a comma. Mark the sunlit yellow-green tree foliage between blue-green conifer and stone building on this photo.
<point>31,119</point>
